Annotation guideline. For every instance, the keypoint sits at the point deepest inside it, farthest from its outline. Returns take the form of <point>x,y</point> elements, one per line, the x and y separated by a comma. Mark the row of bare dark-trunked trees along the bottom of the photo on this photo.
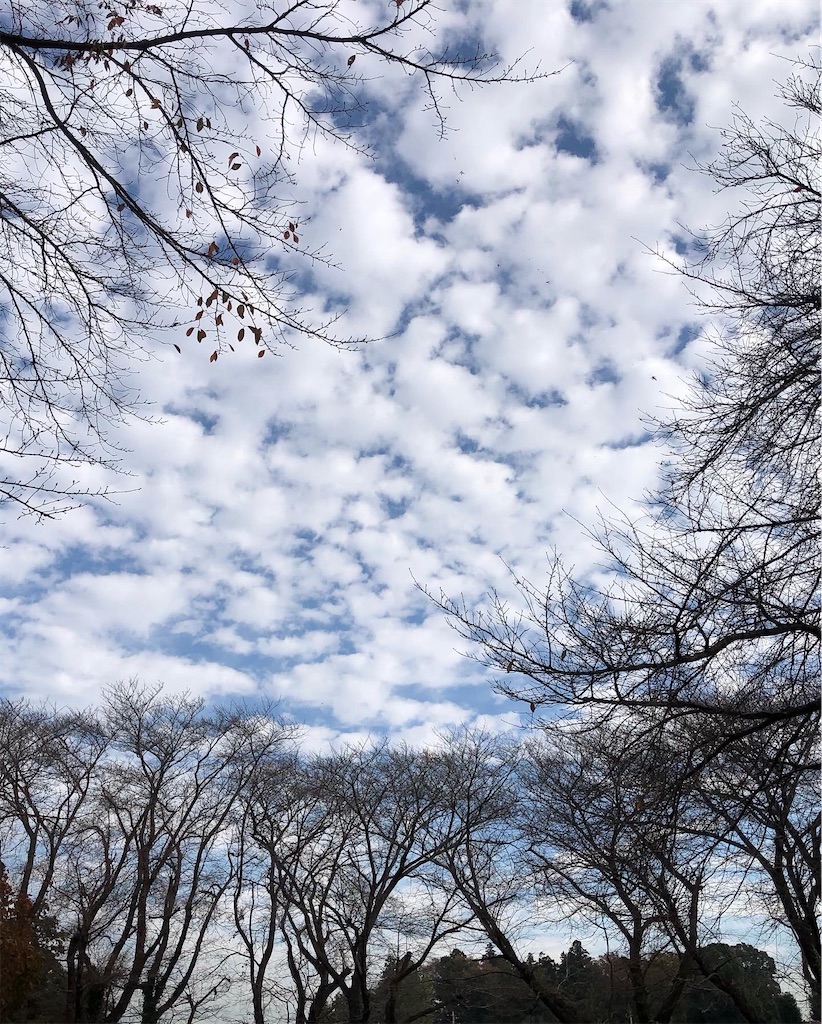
<point>168,861</point>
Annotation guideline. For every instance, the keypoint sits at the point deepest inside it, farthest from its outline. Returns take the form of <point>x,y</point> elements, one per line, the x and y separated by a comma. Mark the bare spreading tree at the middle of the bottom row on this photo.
<point>353,840</point>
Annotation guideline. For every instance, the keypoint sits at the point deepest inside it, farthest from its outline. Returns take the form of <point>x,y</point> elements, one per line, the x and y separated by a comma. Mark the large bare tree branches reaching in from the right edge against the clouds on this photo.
<point>711,606</point>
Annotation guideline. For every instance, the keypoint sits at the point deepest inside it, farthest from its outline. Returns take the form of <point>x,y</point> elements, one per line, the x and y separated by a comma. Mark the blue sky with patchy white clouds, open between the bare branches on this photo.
<point>278,514</point>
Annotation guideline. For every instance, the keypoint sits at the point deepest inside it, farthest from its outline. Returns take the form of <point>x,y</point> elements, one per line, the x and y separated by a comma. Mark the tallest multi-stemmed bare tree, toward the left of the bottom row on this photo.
<point>171,798</point>
